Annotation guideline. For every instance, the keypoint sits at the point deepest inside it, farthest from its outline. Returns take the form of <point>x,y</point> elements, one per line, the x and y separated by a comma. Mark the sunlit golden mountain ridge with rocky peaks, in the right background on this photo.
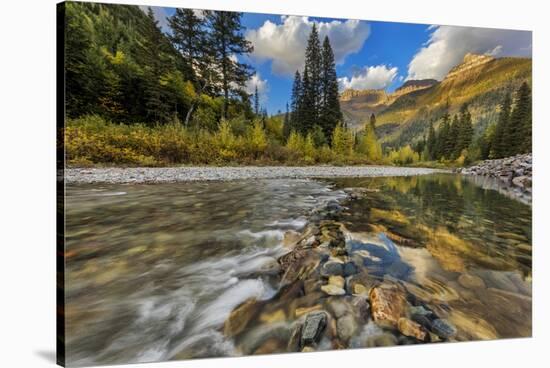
<point>403,116</point>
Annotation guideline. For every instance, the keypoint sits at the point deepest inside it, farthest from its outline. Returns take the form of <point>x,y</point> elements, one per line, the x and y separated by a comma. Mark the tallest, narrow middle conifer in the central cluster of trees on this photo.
<point>313,65</point>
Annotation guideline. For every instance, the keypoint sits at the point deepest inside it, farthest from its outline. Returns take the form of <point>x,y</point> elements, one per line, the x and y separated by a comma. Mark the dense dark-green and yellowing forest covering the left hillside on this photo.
<point>121,65</point>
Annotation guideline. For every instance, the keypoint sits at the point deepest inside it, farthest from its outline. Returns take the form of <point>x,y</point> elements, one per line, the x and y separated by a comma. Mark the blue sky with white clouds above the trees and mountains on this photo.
<point>381,55</point>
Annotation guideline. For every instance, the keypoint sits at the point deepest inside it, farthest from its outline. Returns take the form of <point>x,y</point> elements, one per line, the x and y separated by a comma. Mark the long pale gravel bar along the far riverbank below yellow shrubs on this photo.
<point>182,174</point>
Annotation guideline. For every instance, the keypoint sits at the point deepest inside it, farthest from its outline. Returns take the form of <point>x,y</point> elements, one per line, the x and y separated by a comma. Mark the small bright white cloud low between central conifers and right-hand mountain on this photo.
<point>369,77</point>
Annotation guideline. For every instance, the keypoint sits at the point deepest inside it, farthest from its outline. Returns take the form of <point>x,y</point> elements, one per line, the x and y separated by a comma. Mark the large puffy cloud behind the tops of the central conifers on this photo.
<point>285,43</point>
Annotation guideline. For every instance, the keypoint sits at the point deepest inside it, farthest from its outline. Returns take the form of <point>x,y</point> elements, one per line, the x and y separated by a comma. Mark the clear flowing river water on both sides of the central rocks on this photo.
<point>153,271</point>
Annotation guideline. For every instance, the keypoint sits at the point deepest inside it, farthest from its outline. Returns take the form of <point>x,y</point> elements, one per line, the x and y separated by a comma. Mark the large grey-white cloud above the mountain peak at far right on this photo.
<point>447,46</point>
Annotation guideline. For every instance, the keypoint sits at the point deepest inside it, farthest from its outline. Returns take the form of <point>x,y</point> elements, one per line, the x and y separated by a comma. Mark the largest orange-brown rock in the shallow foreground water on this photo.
<point>388,304</point>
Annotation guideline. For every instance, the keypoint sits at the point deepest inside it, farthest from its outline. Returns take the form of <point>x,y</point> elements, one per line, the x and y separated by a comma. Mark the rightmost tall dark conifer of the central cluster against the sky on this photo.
<point>330,113</point>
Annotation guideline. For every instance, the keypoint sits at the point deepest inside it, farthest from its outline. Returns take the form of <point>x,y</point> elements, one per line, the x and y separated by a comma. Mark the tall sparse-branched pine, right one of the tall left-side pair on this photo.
<point>226,42</point>
